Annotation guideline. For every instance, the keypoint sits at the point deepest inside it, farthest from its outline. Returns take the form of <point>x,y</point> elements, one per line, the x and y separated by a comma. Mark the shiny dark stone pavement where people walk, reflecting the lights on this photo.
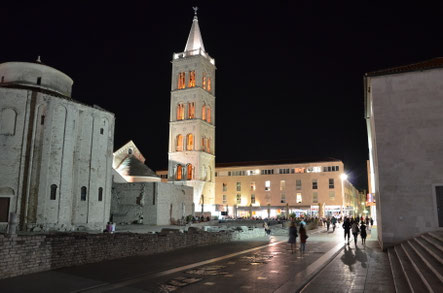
<point>241,266</point>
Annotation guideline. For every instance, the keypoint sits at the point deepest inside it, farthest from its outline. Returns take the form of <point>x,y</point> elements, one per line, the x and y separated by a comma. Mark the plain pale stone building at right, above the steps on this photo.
<point>404,114</point>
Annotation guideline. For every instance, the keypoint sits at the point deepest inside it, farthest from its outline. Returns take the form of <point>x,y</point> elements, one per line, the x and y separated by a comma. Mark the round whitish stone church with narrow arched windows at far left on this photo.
<point>56,153</point>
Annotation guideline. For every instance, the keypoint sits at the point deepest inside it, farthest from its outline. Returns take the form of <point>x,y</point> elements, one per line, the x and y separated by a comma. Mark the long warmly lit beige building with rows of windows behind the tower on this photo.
<point>270,189</point>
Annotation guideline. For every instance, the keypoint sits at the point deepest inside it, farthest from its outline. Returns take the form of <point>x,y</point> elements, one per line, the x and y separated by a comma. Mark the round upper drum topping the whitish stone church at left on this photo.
<point>35,76</point>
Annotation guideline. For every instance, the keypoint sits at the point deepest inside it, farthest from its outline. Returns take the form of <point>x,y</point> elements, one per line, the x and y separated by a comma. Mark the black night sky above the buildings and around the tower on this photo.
<point>289,80</point>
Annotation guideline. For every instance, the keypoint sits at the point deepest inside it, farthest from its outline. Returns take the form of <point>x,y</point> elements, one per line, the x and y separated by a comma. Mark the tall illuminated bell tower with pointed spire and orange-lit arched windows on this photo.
<point>192,120</point>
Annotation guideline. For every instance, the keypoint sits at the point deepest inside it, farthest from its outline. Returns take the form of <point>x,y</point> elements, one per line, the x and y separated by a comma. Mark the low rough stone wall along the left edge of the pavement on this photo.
<point>26,254</point>
